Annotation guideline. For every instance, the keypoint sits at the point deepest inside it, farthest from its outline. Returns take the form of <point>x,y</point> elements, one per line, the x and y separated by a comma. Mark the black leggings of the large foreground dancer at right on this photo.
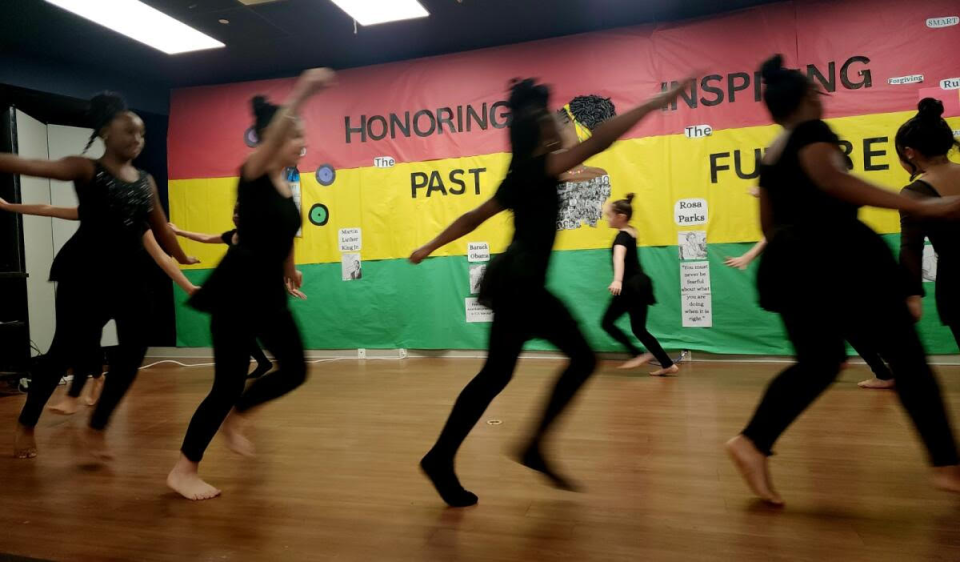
<point>818,338</point>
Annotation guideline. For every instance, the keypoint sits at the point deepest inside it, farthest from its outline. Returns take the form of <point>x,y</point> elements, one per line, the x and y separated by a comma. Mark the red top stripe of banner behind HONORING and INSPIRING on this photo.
<point>846,42</point>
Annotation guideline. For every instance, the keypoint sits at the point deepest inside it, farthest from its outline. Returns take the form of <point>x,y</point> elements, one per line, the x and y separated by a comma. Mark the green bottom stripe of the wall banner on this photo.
<point>399,305</point>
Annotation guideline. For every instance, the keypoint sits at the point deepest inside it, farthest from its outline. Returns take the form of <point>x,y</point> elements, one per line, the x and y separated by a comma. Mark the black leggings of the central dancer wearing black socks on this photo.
<point>541,315</point>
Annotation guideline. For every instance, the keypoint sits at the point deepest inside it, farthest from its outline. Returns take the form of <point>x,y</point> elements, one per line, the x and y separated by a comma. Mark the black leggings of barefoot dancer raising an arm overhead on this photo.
<point>234,335</point>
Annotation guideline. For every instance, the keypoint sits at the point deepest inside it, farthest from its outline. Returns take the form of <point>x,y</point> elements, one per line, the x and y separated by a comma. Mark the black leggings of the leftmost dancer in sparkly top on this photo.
<point>82,309</point>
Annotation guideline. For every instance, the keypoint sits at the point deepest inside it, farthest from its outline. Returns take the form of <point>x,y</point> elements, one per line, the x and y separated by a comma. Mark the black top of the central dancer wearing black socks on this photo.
<point>532,195</point>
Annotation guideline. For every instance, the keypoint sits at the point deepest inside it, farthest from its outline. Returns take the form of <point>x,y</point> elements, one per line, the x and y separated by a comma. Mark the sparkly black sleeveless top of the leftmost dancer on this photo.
<point>114,216</point>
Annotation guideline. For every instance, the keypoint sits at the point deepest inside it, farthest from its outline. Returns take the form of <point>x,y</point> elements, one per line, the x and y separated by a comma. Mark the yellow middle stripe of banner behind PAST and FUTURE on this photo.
<point>399,208</point>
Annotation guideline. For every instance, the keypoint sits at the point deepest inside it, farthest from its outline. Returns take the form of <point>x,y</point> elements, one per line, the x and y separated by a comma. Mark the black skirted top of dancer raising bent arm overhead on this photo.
<point>251,274</point>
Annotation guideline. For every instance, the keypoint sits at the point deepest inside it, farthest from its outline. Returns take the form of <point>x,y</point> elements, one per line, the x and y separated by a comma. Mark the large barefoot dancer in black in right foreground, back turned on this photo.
<point>808,202</point>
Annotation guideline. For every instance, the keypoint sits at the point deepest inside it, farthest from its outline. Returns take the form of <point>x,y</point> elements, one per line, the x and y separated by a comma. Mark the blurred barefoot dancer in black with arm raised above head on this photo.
<point>245,294</point>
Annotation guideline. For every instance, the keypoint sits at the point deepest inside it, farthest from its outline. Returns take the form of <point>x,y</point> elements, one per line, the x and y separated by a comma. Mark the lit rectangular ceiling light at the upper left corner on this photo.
<point>138,21</point>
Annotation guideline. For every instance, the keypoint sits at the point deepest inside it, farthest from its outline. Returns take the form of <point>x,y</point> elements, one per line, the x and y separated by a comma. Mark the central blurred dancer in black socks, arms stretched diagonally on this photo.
<point>514,282</point>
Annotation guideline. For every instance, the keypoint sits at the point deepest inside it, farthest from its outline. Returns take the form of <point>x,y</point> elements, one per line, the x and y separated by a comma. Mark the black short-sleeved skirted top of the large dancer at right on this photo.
<point>819,255</point>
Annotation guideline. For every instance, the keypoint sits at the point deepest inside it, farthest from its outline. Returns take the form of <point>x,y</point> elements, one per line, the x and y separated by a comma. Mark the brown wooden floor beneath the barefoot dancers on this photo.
<point>337,476</point>
